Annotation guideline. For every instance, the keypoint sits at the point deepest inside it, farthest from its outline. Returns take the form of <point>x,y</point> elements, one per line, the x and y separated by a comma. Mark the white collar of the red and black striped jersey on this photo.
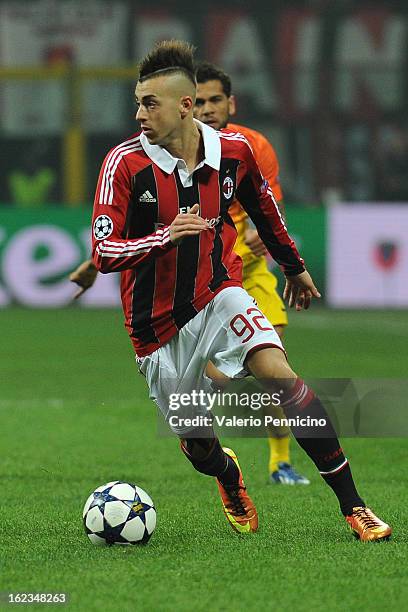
<point>162,158</point>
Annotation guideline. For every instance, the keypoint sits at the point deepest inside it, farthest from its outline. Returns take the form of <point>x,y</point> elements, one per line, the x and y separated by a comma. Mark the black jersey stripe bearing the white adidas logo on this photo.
<point>141,221</point>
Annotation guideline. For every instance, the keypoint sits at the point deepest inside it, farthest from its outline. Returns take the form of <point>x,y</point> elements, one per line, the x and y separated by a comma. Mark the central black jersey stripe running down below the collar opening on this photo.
<point>188,253</point>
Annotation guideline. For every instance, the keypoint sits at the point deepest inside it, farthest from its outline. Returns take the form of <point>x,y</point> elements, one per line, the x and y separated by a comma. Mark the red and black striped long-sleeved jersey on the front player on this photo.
<point>141,189</point>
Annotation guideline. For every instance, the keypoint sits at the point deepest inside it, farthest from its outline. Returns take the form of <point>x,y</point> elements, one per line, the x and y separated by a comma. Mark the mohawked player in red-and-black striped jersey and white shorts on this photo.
<point>161,219</point>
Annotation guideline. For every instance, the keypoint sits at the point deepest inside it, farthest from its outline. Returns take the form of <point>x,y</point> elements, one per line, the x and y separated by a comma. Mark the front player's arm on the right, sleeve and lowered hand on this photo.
<point>256,197</point>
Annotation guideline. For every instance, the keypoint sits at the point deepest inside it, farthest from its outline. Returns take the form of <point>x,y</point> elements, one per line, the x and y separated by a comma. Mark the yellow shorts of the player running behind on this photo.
<point>261,285</point>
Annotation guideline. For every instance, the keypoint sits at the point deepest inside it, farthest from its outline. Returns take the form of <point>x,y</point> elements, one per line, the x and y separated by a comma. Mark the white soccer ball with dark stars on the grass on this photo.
<point>119,513</point>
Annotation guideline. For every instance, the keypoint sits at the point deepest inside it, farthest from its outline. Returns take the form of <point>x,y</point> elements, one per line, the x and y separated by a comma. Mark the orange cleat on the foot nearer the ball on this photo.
<point>238,506</point>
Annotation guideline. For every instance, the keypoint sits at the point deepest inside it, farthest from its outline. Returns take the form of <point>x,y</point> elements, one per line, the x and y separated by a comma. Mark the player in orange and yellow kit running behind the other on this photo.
<point>214,106</point>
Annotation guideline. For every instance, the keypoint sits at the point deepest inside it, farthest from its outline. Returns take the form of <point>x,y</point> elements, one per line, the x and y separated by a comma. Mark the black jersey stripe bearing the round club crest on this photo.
<point>228,170</point>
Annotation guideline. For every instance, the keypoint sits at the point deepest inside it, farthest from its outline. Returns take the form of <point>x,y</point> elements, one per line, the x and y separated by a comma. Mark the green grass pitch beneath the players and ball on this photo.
<point>75,414</point>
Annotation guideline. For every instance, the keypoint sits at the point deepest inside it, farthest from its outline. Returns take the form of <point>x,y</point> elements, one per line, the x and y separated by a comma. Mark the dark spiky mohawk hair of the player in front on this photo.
<point>168,56</point>
